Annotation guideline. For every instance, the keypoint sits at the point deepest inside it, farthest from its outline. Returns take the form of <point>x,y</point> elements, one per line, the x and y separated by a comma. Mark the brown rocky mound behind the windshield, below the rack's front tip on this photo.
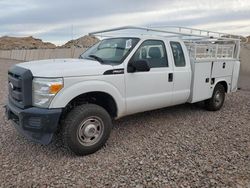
<point>83,42</point>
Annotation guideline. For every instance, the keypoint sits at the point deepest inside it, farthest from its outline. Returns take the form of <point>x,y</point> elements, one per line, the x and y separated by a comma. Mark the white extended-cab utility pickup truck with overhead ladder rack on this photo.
<point>121,75</point>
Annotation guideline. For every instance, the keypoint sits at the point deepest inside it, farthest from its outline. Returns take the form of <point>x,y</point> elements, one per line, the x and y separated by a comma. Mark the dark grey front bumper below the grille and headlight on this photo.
<point>36,124</point>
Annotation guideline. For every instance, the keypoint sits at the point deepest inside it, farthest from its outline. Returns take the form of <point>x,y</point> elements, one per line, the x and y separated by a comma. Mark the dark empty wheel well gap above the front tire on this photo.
<point>99,98</point>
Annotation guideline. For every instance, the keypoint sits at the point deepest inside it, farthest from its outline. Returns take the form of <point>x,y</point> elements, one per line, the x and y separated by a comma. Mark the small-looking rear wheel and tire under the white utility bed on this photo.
<point>217,100</point>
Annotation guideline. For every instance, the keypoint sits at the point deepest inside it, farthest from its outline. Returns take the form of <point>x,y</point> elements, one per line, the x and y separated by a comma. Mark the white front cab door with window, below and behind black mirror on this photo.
<point>152,89</point>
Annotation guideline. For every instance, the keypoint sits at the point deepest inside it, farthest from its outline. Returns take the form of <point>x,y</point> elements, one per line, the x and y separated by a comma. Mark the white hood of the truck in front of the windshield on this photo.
<point>65,67</point>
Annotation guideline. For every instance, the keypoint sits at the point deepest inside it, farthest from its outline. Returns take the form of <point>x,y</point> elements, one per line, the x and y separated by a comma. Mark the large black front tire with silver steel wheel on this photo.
<point>86,129</point>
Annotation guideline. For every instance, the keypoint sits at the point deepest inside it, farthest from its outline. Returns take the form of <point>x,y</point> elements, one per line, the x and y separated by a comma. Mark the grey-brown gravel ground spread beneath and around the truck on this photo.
<point>182,146</point>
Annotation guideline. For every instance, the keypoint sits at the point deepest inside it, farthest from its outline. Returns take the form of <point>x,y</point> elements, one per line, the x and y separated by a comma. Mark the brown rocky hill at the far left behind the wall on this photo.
<point>11,43</point>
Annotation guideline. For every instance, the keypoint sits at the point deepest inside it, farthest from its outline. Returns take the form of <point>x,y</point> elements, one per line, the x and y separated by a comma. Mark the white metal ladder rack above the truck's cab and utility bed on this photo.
<point>202,44</point>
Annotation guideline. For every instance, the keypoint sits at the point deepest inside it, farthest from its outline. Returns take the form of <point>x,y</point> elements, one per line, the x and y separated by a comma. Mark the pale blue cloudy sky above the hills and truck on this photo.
<point>53,20</point>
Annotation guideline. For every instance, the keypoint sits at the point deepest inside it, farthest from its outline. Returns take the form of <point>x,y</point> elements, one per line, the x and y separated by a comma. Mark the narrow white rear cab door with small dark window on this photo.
<point>182,72</point>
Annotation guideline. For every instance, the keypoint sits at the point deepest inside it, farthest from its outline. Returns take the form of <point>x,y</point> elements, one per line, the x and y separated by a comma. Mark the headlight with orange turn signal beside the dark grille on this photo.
<point>44,90</point>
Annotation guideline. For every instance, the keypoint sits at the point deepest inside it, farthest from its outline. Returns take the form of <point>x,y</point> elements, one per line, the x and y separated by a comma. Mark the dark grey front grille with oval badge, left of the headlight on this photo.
<point>20,86</point>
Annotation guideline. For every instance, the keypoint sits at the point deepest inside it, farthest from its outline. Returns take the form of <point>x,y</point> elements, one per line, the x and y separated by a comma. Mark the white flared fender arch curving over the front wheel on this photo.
<point>70,91</point>
